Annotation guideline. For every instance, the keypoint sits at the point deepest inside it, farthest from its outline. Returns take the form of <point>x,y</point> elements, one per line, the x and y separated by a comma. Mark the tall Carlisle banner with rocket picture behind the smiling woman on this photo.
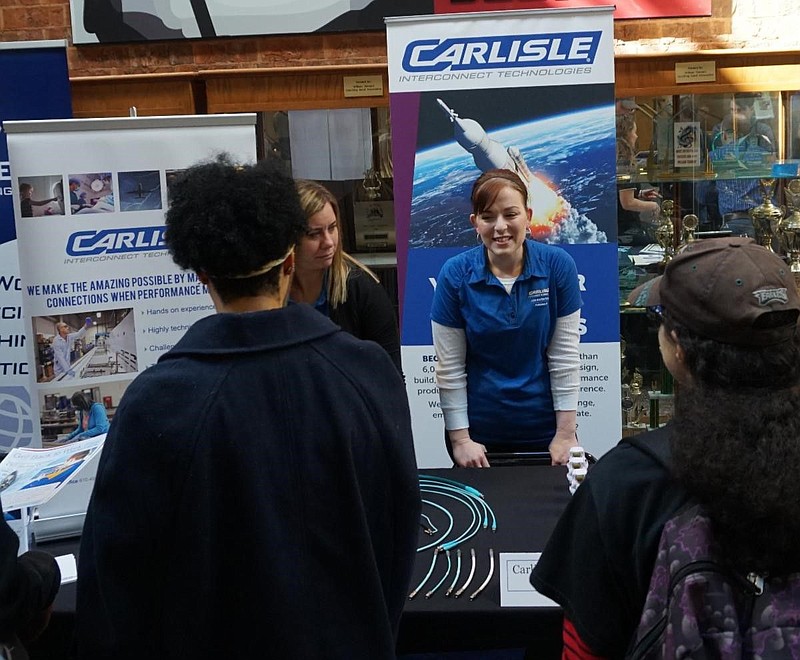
<point>533,92</point>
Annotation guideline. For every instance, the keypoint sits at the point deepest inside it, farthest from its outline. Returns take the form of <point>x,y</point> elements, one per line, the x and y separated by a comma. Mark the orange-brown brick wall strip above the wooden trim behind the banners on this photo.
<point>754,24</point>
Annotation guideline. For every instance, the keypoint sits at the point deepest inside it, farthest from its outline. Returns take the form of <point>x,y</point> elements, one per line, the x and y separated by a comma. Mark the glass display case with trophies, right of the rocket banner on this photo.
<point>689,167</point>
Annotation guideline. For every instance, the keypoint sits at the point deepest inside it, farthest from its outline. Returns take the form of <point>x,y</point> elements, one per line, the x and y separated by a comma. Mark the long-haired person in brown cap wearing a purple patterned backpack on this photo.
<point>728,310</point>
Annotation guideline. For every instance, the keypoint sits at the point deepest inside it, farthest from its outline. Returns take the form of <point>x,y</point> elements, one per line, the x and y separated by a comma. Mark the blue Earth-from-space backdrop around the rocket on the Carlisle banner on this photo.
<point>571,154</point>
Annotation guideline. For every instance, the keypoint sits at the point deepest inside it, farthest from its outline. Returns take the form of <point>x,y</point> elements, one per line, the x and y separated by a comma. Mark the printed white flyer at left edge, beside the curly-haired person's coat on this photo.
<point>30,477</point>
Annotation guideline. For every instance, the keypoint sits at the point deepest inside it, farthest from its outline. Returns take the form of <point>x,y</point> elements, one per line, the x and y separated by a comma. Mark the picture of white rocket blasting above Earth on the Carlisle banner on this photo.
<point>556,155</point>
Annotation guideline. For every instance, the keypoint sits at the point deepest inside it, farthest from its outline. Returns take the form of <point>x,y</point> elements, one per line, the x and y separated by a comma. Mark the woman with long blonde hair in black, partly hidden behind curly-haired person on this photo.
<point>335,283</point>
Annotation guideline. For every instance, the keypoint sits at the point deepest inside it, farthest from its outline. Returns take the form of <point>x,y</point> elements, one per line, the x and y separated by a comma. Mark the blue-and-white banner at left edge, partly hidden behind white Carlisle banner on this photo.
<point>34,84</point>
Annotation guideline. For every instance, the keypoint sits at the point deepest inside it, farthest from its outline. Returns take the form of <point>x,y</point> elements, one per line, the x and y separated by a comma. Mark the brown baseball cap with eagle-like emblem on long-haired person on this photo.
<point>724,289</point>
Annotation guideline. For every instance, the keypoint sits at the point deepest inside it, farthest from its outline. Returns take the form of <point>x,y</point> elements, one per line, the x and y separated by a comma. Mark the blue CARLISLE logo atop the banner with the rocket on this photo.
<point>510,51</point>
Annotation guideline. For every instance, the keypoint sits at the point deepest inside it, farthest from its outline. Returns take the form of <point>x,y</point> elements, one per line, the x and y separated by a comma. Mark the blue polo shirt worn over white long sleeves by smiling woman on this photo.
<point>508,381</point>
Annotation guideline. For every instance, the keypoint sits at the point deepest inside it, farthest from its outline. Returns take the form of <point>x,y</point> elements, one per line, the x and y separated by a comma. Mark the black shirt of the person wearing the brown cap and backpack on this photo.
<point>598,561</point>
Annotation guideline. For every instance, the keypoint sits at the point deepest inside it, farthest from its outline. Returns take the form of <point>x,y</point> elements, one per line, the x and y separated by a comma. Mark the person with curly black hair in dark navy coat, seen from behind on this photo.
<point>257,494</point>
